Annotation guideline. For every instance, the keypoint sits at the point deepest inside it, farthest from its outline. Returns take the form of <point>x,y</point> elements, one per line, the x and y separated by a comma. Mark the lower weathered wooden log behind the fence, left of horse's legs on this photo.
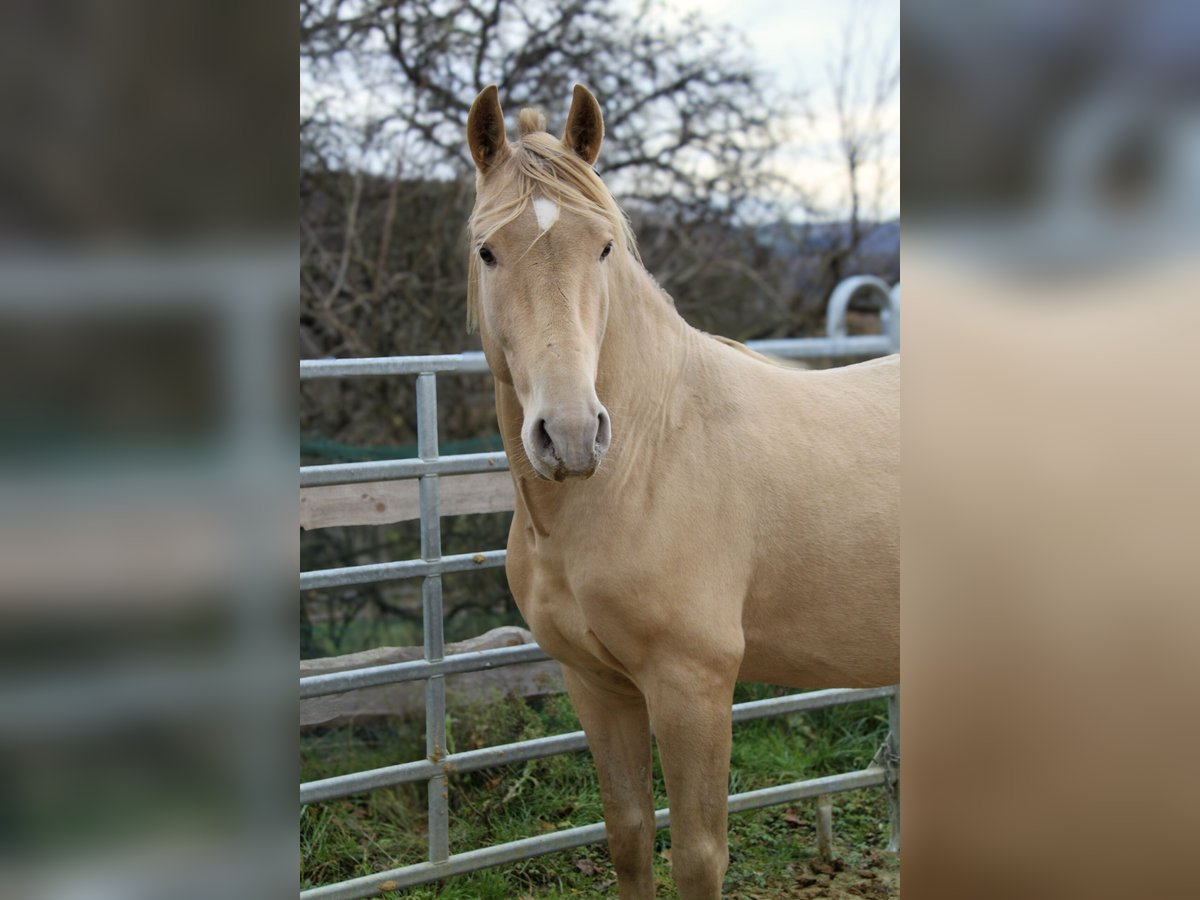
<point>407,699</point>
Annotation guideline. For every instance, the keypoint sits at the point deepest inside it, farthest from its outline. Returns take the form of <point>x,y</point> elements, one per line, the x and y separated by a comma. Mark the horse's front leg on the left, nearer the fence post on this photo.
<point>619,731</point>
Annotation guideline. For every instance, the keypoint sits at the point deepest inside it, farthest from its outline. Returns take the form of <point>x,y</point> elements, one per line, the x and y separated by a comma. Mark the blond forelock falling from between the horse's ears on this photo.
<point>541,165</point>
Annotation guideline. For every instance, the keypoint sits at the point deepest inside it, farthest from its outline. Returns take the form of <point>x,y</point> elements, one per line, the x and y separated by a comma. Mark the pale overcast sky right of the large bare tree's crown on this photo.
<point>796,41</point>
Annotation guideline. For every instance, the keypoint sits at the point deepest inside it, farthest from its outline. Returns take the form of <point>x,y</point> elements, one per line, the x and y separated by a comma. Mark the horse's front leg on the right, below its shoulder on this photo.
<point>691,703</point>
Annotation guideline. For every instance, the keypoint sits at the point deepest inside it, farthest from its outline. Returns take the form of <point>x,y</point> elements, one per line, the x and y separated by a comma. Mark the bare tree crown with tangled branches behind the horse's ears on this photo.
<point>685,109</point>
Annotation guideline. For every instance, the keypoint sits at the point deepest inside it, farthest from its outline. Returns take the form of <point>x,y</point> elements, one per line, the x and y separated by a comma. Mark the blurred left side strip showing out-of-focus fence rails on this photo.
<point>147,452</point>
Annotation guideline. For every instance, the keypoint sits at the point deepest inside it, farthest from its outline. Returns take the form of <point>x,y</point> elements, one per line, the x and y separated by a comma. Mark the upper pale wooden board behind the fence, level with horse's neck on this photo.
<point>387,502</point>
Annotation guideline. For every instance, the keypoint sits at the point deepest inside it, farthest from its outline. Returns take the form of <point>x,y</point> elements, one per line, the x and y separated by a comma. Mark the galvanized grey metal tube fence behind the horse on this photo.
<point>439,765</point>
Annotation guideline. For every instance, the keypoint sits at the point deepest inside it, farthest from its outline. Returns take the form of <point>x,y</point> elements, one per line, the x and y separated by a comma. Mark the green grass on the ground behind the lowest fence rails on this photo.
<point>383,830</point>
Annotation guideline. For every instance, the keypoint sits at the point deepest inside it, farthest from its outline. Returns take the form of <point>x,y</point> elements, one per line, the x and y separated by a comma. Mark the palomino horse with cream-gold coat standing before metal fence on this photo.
<point>688,513</point>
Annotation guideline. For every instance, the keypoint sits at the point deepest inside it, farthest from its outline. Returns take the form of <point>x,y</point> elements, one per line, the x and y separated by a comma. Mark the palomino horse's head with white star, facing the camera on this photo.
<point>547,238</point>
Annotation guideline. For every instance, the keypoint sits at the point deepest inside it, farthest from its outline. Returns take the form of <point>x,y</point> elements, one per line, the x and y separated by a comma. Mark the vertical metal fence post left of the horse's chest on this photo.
<point>431,605</point>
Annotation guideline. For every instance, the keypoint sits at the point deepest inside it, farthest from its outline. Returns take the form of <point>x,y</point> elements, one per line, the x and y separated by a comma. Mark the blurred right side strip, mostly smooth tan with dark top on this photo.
<point>1052,315</point>
